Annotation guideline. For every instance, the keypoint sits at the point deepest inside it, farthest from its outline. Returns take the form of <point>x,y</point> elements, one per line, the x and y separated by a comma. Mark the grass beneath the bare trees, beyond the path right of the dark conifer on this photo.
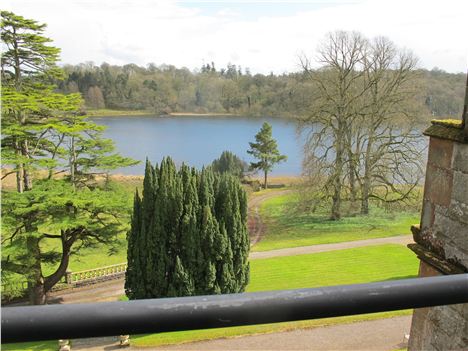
<point>286,227</point>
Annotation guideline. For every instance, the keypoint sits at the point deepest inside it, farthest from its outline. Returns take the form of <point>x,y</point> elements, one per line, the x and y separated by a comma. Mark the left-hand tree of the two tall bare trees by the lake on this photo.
<point>337,90</point>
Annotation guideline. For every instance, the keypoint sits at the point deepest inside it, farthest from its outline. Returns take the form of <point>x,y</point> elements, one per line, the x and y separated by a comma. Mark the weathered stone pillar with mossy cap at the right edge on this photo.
<point>441,239</point>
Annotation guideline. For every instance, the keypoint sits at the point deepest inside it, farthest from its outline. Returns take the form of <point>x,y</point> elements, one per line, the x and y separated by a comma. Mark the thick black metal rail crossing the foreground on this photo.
<point>34,323</point>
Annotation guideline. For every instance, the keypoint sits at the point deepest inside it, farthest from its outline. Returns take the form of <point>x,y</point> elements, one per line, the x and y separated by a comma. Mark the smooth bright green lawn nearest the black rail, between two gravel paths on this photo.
<point>351,266</point>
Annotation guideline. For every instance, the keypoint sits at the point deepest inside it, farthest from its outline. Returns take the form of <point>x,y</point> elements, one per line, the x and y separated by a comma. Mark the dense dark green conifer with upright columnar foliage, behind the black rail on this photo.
<point>188,234</point>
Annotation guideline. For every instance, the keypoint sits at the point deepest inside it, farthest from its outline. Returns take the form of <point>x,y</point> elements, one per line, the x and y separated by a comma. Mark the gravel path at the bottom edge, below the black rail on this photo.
<point>381,334</point>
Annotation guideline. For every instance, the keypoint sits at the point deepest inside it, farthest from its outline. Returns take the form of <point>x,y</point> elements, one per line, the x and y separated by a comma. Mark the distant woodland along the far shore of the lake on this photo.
<point>164,89</point>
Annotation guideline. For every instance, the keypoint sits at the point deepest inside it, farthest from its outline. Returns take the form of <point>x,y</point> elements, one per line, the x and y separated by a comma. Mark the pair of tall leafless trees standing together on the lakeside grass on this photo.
<point>360,128</point>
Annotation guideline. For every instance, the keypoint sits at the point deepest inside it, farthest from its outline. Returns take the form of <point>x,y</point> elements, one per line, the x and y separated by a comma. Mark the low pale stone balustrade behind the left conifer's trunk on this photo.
<point>71,279</point>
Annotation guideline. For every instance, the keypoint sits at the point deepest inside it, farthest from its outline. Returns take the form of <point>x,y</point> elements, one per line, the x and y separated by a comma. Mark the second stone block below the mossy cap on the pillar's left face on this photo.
<point>438,186</point>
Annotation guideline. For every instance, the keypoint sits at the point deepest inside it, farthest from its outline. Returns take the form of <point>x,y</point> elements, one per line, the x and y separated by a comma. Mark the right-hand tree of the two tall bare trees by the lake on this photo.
<point>390,156</point>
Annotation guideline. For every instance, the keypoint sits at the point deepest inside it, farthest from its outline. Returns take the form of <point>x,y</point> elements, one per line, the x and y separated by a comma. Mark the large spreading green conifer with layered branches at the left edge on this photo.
<point>41,130</point>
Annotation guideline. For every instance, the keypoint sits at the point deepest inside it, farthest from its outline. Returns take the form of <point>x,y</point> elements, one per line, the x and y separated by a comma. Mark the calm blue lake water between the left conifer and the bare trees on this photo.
<point>198,140</point>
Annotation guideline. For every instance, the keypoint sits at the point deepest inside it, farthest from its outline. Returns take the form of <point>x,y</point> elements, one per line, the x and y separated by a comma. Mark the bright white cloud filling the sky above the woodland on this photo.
<point>142,31</point>
